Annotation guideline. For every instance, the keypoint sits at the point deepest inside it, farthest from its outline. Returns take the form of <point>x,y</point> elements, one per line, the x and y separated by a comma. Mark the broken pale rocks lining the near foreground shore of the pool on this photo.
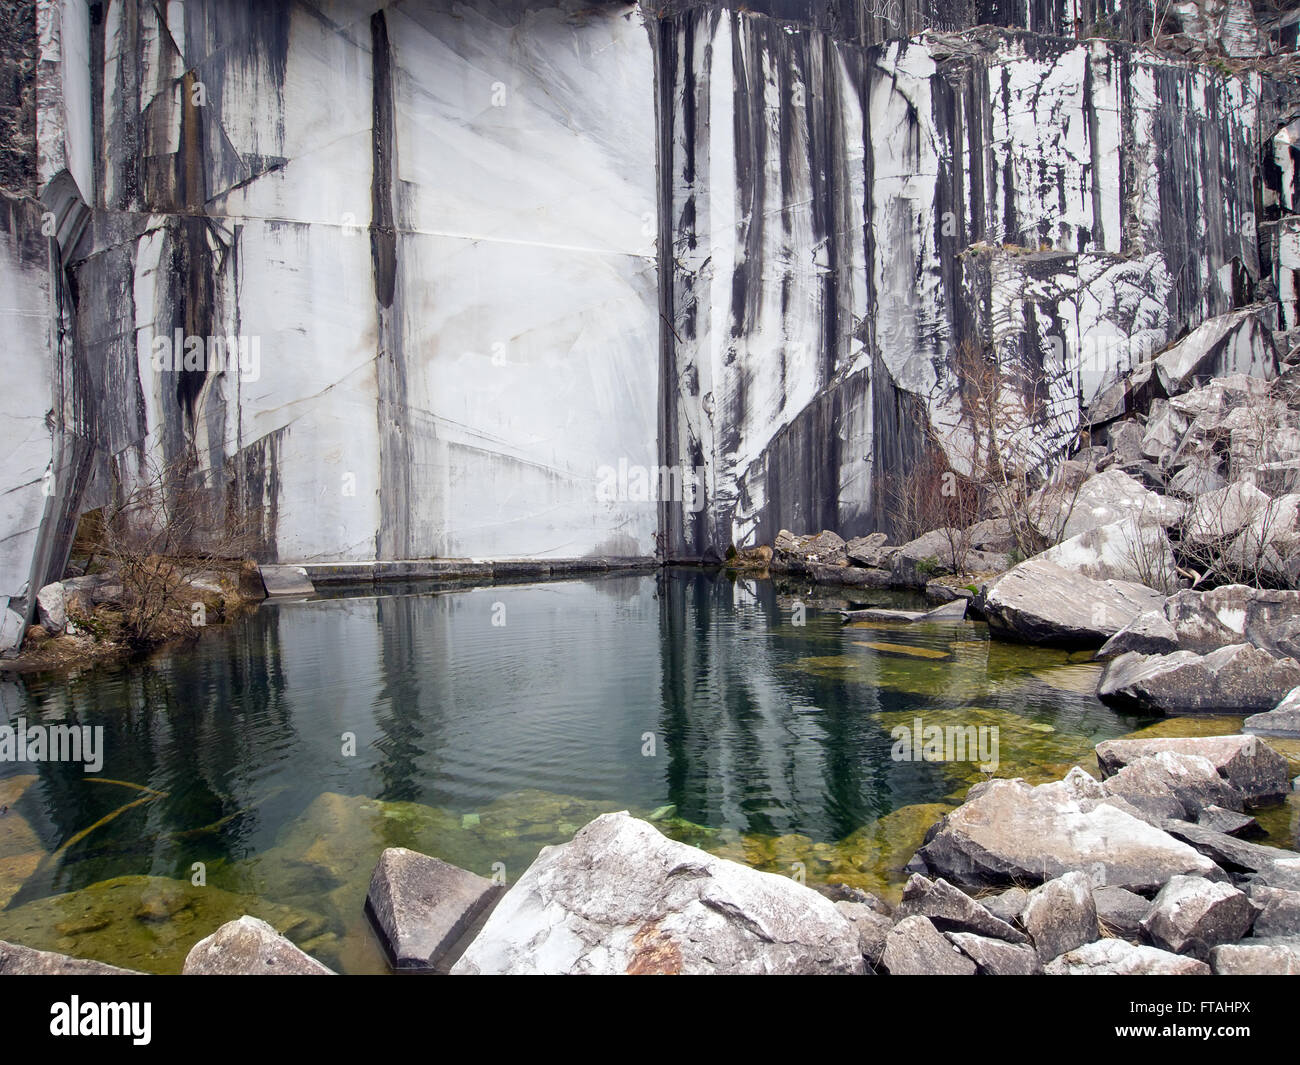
<point>1147,871</point>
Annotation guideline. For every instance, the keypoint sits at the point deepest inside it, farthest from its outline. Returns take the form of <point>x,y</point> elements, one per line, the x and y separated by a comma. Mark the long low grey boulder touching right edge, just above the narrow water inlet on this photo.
<point>1240,678</point>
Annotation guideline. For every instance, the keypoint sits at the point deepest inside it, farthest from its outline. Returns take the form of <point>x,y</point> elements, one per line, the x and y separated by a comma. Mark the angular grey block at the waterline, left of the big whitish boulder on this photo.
<point>422,907</point>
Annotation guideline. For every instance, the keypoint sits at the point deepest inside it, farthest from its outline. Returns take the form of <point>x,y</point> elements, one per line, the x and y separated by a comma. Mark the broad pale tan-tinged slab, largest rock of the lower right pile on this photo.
<point>1012,833</point>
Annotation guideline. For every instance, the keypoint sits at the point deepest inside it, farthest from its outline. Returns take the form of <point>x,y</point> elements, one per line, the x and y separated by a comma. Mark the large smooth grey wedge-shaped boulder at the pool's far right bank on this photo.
<point>1043,603</point>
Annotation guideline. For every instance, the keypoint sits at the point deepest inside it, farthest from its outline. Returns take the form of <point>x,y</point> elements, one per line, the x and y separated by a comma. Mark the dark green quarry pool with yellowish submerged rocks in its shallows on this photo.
<point>265,768</point>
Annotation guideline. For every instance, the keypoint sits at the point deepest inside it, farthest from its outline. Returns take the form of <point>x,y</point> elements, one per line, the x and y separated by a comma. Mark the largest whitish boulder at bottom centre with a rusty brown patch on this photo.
<point>621,898</point>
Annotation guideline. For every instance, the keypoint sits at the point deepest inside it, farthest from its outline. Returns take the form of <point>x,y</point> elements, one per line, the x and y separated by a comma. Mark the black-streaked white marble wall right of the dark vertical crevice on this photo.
<point>844,219</point>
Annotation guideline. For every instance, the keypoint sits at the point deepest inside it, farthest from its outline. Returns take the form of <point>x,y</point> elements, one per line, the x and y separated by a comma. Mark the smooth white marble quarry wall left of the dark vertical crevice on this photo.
<point>432,223</point>
